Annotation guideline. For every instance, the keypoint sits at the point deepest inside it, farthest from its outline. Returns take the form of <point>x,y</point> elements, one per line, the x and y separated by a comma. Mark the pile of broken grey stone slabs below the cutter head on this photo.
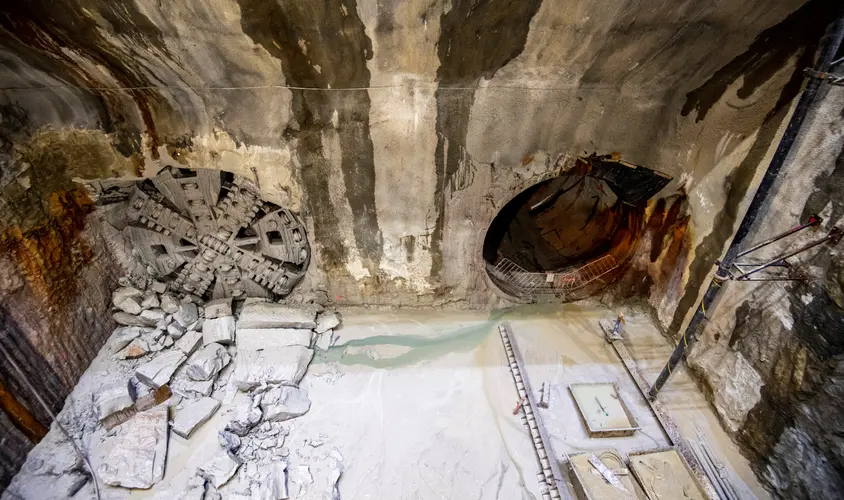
<point>198,350</point>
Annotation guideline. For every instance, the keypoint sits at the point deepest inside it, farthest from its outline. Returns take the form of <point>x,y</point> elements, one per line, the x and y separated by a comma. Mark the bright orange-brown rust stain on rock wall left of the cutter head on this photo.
<point>52,255</point>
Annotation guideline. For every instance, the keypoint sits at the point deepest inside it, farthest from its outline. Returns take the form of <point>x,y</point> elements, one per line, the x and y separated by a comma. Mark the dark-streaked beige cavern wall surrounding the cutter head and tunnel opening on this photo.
<point>396,129</point>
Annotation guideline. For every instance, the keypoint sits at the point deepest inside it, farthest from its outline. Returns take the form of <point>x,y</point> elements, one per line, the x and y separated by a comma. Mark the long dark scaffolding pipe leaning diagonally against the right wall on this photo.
<point>795,124</point>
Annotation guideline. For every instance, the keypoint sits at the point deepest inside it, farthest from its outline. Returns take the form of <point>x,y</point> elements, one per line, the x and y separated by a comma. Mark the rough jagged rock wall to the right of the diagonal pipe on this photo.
<point>772,356</point>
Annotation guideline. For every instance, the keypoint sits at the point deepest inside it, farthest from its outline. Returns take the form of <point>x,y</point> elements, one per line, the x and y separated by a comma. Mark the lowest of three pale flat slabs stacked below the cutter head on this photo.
<point>285,365</point>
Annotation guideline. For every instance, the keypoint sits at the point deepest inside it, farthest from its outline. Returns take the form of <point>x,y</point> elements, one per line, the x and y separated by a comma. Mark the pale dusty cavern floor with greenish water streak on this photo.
<point>420,405</point>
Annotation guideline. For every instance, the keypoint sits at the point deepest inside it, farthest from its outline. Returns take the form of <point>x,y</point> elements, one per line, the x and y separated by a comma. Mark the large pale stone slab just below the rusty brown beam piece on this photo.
<point>137,452</point>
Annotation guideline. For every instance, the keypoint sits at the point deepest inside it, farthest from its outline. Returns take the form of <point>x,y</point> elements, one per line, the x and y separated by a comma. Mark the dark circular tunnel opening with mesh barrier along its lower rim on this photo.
<point>571,235</point>
